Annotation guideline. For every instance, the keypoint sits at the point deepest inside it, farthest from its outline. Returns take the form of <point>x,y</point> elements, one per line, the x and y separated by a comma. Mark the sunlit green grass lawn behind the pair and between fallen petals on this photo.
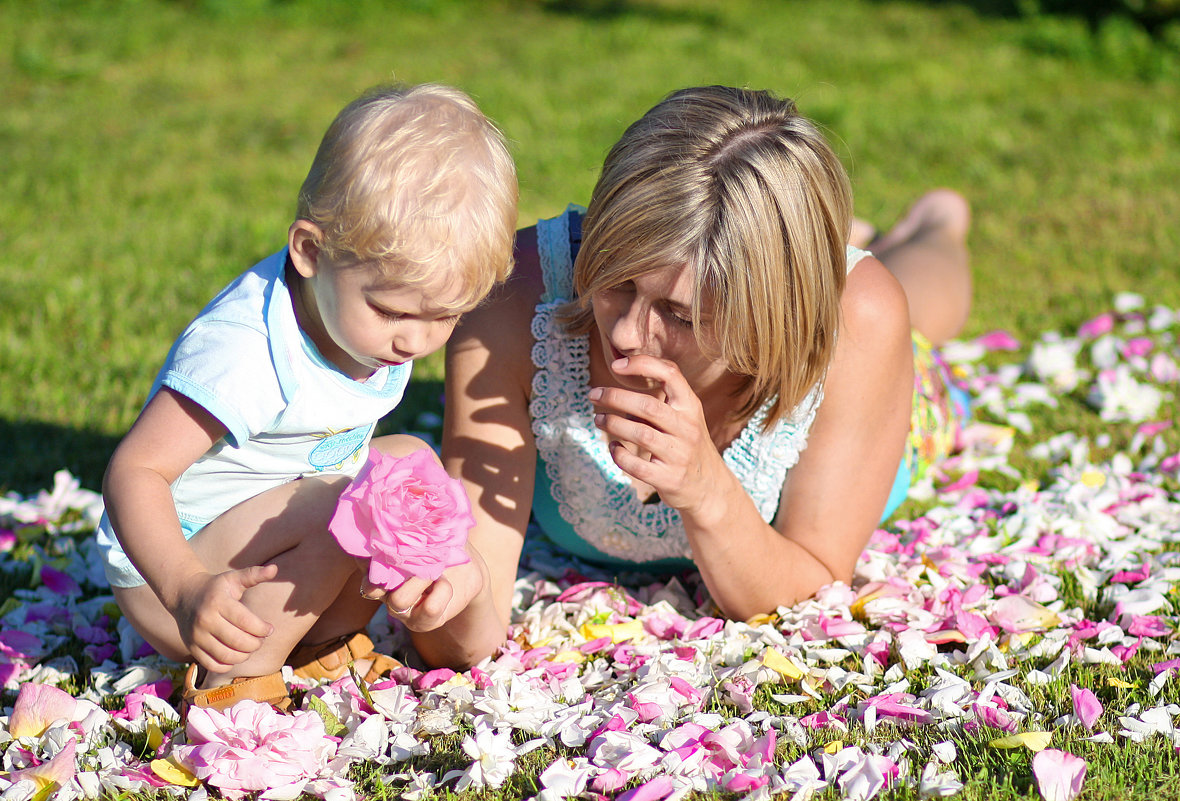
<point>153,150</point>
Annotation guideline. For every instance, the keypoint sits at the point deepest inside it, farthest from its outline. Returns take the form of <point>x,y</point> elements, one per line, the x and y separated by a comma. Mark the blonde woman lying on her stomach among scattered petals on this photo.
<point>698,373</point>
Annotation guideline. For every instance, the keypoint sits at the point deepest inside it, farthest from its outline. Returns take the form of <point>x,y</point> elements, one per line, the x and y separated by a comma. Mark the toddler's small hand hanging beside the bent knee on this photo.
<point>220,631</point>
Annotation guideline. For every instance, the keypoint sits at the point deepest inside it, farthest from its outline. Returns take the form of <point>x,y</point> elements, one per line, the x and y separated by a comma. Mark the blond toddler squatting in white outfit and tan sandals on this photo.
<point>218,501</point>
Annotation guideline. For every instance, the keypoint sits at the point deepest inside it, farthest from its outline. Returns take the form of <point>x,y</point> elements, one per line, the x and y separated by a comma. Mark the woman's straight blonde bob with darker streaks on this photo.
<point>748,193</point>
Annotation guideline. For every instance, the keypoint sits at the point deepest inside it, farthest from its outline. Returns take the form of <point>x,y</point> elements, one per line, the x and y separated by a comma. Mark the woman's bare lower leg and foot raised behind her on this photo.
<point>927,253</point>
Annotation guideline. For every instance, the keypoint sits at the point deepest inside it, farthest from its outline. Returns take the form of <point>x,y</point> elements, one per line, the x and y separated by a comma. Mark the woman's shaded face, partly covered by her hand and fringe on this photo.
<point>653,316</point>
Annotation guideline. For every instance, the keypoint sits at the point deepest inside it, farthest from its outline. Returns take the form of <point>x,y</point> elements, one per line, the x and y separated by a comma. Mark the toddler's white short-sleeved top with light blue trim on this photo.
<point>289,411</point>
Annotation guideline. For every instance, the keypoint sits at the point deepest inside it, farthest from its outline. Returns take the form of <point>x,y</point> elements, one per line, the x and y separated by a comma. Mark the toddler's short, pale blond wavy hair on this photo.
<point>419,181</point>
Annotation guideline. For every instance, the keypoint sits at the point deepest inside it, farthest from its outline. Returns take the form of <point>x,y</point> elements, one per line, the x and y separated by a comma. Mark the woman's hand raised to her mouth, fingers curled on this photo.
<point>661,438</point>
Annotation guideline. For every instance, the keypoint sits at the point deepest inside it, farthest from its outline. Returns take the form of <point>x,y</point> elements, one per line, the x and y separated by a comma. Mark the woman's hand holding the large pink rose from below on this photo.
<point>425,606</point>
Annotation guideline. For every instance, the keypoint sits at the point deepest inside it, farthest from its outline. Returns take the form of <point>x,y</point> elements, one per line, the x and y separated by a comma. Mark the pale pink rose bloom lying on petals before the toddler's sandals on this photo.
<point>254,747</point>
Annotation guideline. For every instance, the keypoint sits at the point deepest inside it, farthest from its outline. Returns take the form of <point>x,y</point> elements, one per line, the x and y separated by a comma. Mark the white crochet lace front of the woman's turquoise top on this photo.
<point>595,498</point>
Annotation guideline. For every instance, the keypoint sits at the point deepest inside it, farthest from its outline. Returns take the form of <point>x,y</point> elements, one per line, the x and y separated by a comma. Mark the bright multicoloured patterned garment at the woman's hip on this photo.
<point>941,410</point>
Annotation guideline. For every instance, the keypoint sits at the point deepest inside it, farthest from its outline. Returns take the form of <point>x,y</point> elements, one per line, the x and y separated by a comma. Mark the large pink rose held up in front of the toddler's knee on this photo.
<point>407,516</point>
